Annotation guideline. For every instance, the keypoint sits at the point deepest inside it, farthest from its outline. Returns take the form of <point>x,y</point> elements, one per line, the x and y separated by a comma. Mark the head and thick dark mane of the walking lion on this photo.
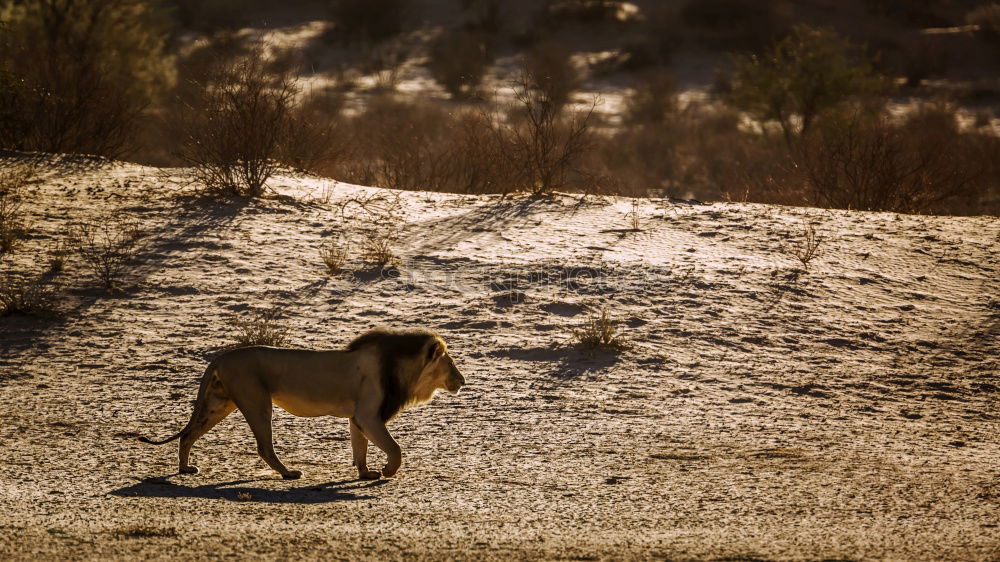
<point>414,364</point>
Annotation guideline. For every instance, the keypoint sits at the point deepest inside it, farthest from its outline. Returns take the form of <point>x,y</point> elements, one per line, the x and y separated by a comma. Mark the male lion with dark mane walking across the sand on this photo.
<point>378,375</point>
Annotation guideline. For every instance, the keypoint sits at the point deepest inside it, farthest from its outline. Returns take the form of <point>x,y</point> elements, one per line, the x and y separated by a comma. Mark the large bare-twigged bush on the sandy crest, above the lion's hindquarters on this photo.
<point>237,126</point>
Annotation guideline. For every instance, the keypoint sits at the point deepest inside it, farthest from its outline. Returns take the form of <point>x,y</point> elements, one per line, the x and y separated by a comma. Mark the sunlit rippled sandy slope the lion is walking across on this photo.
<point>850,411</point>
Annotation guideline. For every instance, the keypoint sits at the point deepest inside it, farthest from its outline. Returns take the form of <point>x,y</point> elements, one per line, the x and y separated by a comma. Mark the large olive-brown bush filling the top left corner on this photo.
<point>75,75</point>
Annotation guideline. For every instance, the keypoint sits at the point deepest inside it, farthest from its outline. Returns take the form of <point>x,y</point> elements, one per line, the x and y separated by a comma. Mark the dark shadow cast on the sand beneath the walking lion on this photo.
<point>162,487</point>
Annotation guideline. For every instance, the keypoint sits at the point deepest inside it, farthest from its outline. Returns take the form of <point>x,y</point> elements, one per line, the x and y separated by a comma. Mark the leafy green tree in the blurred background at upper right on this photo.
<point>801,77</point>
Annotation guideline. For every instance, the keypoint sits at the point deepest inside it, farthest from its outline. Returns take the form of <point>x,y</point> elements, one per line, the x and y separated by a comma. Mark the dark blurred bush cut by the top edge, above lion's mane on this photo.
<point>366,21</point>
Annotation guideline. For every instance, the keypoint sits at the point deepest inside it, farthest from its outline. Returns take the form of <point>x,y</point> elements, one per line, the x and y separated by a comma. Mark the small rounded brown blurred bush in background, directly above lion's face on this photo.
<point>458,60</point>
